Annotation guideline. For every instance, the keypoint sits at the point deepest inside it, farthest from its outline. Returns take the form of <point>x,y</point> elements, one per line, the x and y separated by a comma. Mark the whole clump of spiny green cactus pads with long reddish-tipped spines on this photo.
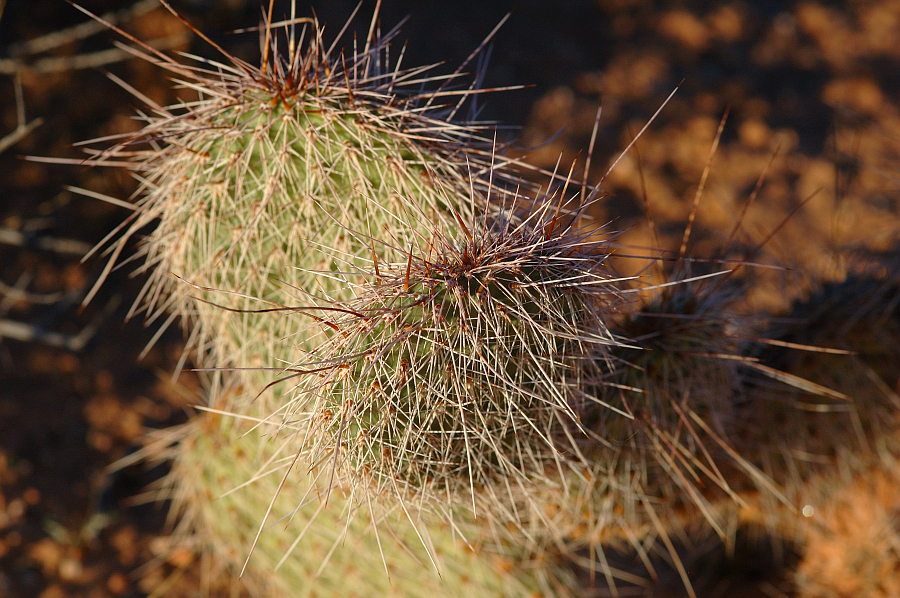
<point>422,362</point>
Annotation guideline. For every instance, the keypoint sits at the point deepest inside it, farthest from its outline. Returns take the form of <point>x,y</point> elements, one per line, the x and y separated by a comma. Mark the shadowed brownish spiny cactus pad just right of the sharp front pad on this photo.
<point>659,450</point>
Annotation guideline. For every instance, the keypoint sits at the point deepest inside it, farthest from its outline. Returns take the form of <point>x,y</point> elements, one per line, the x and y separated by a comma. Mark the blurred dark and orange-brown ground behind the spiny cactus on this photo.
<point>812,91</point>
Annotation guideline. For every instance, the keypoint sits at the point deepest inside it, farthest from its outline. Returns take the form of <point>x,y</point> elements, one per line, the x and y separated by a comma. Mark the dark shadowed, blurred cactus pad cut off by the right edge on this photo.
<point>848,332</point>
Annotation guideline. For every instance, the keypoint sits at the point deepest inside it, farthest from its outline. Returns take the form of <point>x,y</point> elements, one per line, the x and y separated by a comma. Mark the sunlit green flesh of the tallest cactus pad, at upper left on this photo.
<point>264,207</point>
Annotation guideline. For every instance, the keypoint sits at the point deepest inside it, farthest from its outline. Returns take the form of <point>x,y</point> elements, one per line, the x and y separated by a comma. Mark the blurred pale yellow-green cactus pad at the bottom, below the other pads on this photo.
<point>223,475</point>
